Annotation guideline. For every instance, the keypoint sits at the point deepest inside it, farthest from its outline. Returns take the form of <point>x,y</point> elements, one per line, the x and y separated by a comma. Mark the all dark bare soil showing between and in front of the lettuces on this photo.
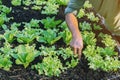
<point>18,72</point>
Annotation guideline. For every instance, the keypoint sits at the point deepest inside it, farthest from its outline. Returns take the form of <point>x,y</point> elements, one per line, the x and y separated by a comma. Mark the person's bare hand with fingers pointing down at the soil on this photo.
<point>77,45</point>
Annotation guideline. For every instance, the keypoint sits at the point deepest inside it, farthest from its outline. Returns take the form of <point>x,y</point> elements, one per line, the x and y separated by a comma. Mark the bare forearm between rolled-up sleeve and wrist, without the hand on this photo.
<point>72,24</point>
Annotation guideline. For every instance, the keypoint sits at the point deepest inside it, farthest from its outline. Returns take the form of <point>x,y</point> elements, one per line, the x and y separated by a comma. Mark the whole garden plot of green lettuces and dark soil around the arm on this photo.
<point>39,42</point>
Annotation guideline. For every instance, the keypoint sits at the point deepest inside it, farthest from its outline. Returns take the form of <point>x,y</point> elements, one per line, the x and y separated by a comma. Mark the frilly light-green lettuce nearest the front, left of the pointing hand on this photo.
<point>50,66</point>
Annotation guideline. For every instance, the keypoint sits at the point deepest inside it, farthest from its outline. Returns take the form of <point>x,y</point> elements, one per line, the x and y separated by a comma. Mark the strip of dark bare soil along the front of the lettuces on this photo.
<point>80,72</point>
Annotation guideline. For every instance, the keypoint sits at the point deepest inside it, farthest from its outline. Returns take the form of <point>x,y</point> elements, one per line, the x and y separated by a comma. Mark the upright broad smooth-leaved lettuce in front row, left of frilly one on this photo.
<point>24,54</point>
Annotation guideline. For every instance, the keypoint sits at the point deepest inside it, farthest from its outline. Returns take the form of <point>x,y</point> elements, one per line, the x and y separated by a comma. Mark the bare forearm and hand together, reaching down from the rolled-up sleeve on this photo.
<point>76,42</point>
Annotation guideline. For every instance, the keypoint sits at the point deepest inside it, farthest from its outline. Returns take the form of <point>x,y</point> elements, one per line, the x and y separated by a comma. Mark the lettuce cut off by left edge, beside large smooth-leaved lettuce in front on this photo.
<point>5,56</point>
